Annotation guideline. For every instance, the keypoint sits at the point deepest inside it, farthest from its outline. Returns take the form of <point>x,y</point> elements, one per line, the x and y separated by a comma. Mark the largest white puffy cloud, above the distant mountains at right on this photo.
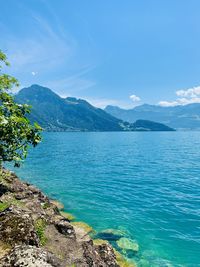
<point>185,97</point>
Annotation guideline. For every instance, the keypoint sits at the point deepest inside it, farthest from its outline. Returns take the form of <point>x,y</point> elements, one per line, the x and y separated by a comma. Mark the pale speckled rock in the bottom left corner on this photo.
<point>31,257</point>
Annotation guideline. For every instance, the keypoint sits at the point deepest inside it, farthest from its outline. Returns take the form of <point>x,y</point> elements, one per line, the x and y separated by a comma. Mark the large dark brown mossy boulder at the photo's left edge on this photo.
<point>17,227</point>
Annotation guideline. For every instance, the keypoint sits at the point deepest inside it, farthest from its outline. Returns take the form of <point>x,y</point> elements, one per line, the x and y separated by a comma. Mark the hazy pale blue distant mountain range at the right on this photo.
<point>179,117</point>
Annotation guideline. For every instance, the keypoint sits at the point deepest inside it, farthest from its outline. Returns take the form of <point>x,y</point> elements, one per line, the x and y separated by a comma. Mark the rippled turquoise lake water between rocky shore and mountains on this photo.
<point>146,183</point>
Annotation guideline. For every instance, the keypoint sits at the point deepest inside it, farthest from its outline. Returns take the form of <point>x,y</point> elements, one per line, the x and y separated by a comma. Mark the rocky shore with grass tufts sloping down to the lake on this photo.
<point>35,232</point>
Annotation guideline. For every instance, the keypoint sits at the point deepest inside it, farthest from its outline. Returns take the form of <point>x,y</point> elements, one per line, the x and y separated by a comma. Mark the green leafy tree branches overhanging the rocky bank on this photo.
<point>16,131</point>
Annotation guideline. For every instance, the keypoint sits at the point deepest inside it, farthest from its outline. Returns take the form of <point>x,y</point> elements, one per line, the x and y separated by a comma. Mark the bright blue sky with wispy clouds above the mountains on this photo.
<point>106,51</point>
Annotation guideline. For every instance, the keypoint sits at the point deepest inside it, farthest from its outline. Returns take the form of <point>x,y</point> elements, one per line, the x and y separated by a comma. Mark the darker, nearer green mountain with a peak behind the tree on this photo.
<point>54,113</point>
